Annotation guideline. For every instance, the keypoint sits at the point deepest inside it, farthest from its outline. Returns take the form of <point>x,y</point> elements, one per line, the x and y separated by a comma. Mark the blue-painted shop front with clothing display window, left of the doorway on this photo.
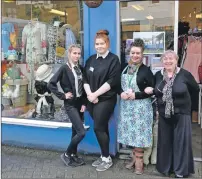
<point>35,33</point>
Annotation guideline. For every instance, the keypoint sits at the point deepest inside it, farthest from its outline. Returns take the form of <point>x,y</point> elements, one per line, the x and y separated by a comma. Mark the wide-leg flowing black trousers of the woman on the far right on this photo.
<point>174,149</point>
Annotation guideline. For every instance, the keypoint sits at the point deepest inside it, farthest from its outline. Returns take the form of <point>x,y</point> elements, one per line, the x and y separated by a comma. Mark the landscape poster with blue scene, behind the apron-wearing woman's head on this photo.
<point>154,41</point>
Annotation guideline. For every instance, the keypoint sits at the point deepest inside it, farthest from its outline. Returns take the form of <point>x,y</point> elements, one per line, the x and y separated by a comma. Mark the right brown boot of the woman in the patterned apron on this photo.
<point>139,165</point>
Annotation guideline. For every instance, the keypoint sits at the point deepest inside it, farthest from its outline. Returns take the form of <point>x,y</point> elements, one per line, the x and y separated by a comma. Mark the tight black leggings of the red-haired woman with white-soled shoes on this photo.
<point>101,113</point>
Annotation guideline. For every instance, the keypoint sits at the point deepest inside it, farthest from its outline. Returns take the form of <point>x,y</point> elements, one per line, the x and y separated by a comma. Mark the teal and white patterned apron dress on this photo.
<point>136,116</point>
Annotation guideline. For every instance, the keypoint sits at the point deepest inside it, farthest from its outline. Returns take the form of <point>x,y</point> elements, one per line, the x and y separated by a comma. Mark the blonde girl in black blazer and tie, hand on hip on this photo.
<point>70,78</point>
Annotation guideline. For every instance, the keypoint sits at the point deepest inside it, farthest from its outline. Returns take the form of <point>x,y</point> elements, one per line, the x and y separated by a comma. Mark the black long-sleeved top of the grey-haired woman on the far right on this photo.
<point>185,92</point>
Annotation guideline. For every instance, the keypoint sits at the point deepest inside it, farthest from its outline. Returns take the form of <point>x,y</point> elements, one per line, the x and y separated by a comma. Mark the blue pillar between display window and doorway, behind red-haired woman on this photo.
<point>103,17</point>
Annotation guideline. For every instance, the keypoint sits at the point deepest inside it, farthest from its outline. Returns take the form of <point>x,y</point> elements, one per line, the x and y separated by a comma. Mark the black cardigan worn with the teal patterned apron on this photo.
<point>145,78</point>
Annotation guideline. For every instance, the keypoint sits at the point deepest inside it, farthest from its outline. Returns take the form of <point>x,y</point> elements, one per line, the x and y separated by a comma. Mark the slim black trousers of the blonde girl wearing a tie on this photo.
<point>78,131</point>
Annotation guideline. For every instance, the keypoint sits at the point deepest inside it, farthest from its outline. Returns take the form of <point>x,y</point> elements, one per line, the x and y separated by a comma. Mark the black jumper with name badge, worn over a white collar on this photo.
<point>98,71</point>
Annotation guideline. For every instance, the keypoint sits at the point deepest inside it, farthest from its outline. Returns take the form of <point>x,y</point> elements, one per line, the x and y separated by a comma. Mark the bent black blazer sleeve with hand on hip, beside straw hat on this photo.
<point>52,85</point>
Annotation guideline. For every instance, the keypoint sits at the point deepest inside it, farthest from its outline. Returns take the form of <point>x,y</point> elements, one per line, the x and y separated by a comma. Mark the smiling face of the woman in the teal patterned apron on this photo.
<point>136,55</point>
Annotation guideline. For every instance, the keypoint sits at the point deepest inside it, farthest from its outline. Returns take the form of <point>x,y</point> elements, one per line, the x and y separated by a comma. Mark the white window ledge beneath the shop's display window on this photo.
<point>37,123</point>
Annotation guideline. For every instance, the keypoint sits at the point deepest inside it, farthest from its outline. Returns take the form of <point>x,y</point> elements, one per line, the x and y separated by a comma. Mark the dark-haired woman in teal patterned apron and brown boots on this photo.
<point>136,113</point>
